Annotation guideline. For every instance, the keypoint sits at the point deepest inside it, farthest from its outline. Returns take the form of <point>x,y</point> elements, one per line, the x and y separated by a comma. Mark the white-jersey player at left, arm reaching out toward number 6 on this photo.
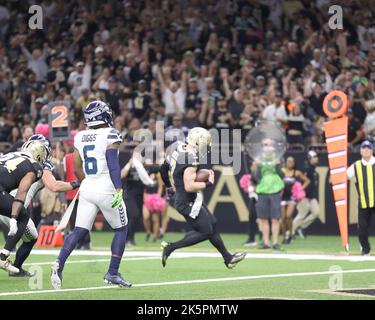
<point>48,180</point>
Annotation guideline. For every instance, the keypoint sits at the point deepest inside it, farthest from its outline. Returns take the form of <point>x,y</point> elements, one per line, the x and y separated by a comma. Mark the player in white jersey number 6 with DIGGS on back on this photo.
<point>96,164</point>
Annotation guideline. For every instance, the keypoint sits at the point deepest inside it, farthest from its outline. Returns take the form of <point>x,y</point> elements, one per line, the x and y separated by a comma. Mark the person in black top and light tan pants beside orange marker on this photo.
<point>308,208</point>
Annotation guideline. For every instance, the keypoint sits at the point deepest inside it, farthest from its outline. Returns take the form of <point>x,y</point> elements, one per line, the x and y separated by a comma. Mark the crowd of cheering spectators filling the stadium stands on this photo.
<point>212,63</point>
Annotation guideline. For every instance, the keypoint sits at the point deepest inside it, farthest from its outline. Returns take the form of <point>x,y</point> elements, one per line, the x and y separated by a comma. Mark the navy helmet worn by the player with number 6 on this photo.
<point>97,113</point>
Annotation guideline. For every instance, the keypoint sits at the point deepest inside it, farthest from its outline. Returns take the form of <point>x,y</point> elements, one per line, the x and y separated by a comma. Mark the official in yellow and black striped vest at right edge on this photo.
<point>364,172</point>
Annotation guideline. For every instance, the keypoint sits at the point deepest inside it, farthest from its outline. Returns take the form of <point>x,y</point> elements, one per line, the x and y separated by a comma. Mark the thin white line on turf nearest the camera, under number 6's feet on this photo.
<point>171,283</point>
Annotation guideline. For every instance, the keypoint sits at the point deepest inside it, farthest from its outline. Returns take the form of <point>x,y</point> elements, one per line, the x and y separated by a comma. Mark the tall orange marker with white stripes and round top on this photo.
<point>335,106</point>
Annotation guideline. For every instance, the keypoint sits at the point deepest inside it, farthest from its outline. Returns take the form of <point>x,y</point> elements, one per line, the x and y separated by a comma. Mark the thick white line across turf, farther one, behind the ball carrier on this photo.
<point>185,254</point>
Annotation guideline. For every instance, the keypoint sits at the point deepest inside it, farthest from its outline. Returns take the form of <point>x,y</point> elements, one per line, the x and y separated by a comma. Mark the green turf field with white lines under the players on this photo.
<point>295,273</point>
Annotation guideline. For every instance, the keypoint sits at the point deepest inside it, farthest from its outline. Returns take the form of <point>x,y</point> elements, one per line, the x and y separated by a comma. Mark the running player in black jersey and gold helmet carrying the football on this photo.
<point>183,166</point>
